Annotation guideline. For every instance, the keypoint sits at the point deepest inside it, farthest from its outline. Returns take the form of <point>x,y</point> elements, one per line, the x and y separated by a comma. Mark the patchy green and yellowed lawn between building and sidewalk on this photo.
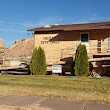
<point>81,89</point>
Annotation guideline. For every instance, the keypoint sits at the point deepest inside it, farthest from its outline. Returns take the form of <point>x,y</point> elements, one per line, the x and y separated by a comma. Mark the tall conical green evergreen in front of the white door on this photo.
<point>81,61</point>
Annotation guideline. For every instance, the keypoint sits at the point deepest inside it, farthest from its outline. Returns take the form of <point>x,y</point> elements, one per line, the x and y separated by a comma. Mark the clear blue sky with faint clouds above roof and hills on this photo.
<point>17,16</point>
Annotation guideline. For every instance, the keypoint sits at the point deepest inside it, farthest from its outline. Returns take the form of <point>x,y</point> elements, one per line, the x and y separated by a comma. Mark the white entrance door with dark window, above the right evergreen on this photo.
<point>85,40</point>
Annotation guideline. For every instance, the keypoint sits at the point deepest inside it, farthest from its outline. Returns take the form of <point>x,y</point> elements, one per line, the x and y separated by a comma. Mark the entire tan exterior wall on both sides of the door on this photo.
<point>63,44</point>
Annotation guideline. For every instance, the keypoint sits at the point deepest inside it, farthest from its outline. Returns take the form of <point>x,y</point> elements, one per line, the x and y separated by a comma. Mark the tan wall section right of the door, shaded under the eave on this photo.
<point>96,35</point>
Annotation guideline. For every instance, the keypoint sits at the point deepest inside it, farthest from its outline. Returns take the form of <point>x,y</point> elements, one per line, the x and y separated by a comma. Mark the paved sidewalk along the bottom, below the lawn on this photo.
<point>38,103</point>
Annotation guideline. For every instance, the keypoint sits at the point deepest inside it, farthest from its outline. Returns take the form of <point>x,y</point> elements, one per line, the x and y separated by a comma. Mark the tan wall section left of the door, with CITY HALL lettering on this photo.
<point>57,45</point>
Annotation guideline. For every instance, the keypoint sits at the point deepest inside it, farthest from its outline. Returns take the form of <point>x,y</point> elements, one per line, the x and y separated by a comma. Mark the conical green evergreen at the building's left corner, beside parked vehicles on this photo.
<point>38,63</point>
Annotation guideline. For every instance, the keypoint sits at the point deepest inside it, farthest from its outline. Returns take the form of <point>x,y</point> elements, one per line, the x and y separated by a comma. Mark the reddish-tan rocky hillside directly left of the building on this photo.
<point>20,50</point>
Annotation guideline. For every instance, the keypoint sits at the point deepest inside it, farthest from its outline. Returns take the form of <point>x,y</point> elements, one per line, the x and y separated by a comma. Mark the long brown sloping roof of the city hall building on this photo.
<point>70,27</point>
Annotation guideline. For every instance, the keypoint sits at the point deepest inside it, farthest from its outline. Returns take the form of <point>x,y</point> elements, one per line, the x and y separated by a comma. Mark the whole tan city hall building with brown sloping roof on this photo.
<point>60,43</point>
